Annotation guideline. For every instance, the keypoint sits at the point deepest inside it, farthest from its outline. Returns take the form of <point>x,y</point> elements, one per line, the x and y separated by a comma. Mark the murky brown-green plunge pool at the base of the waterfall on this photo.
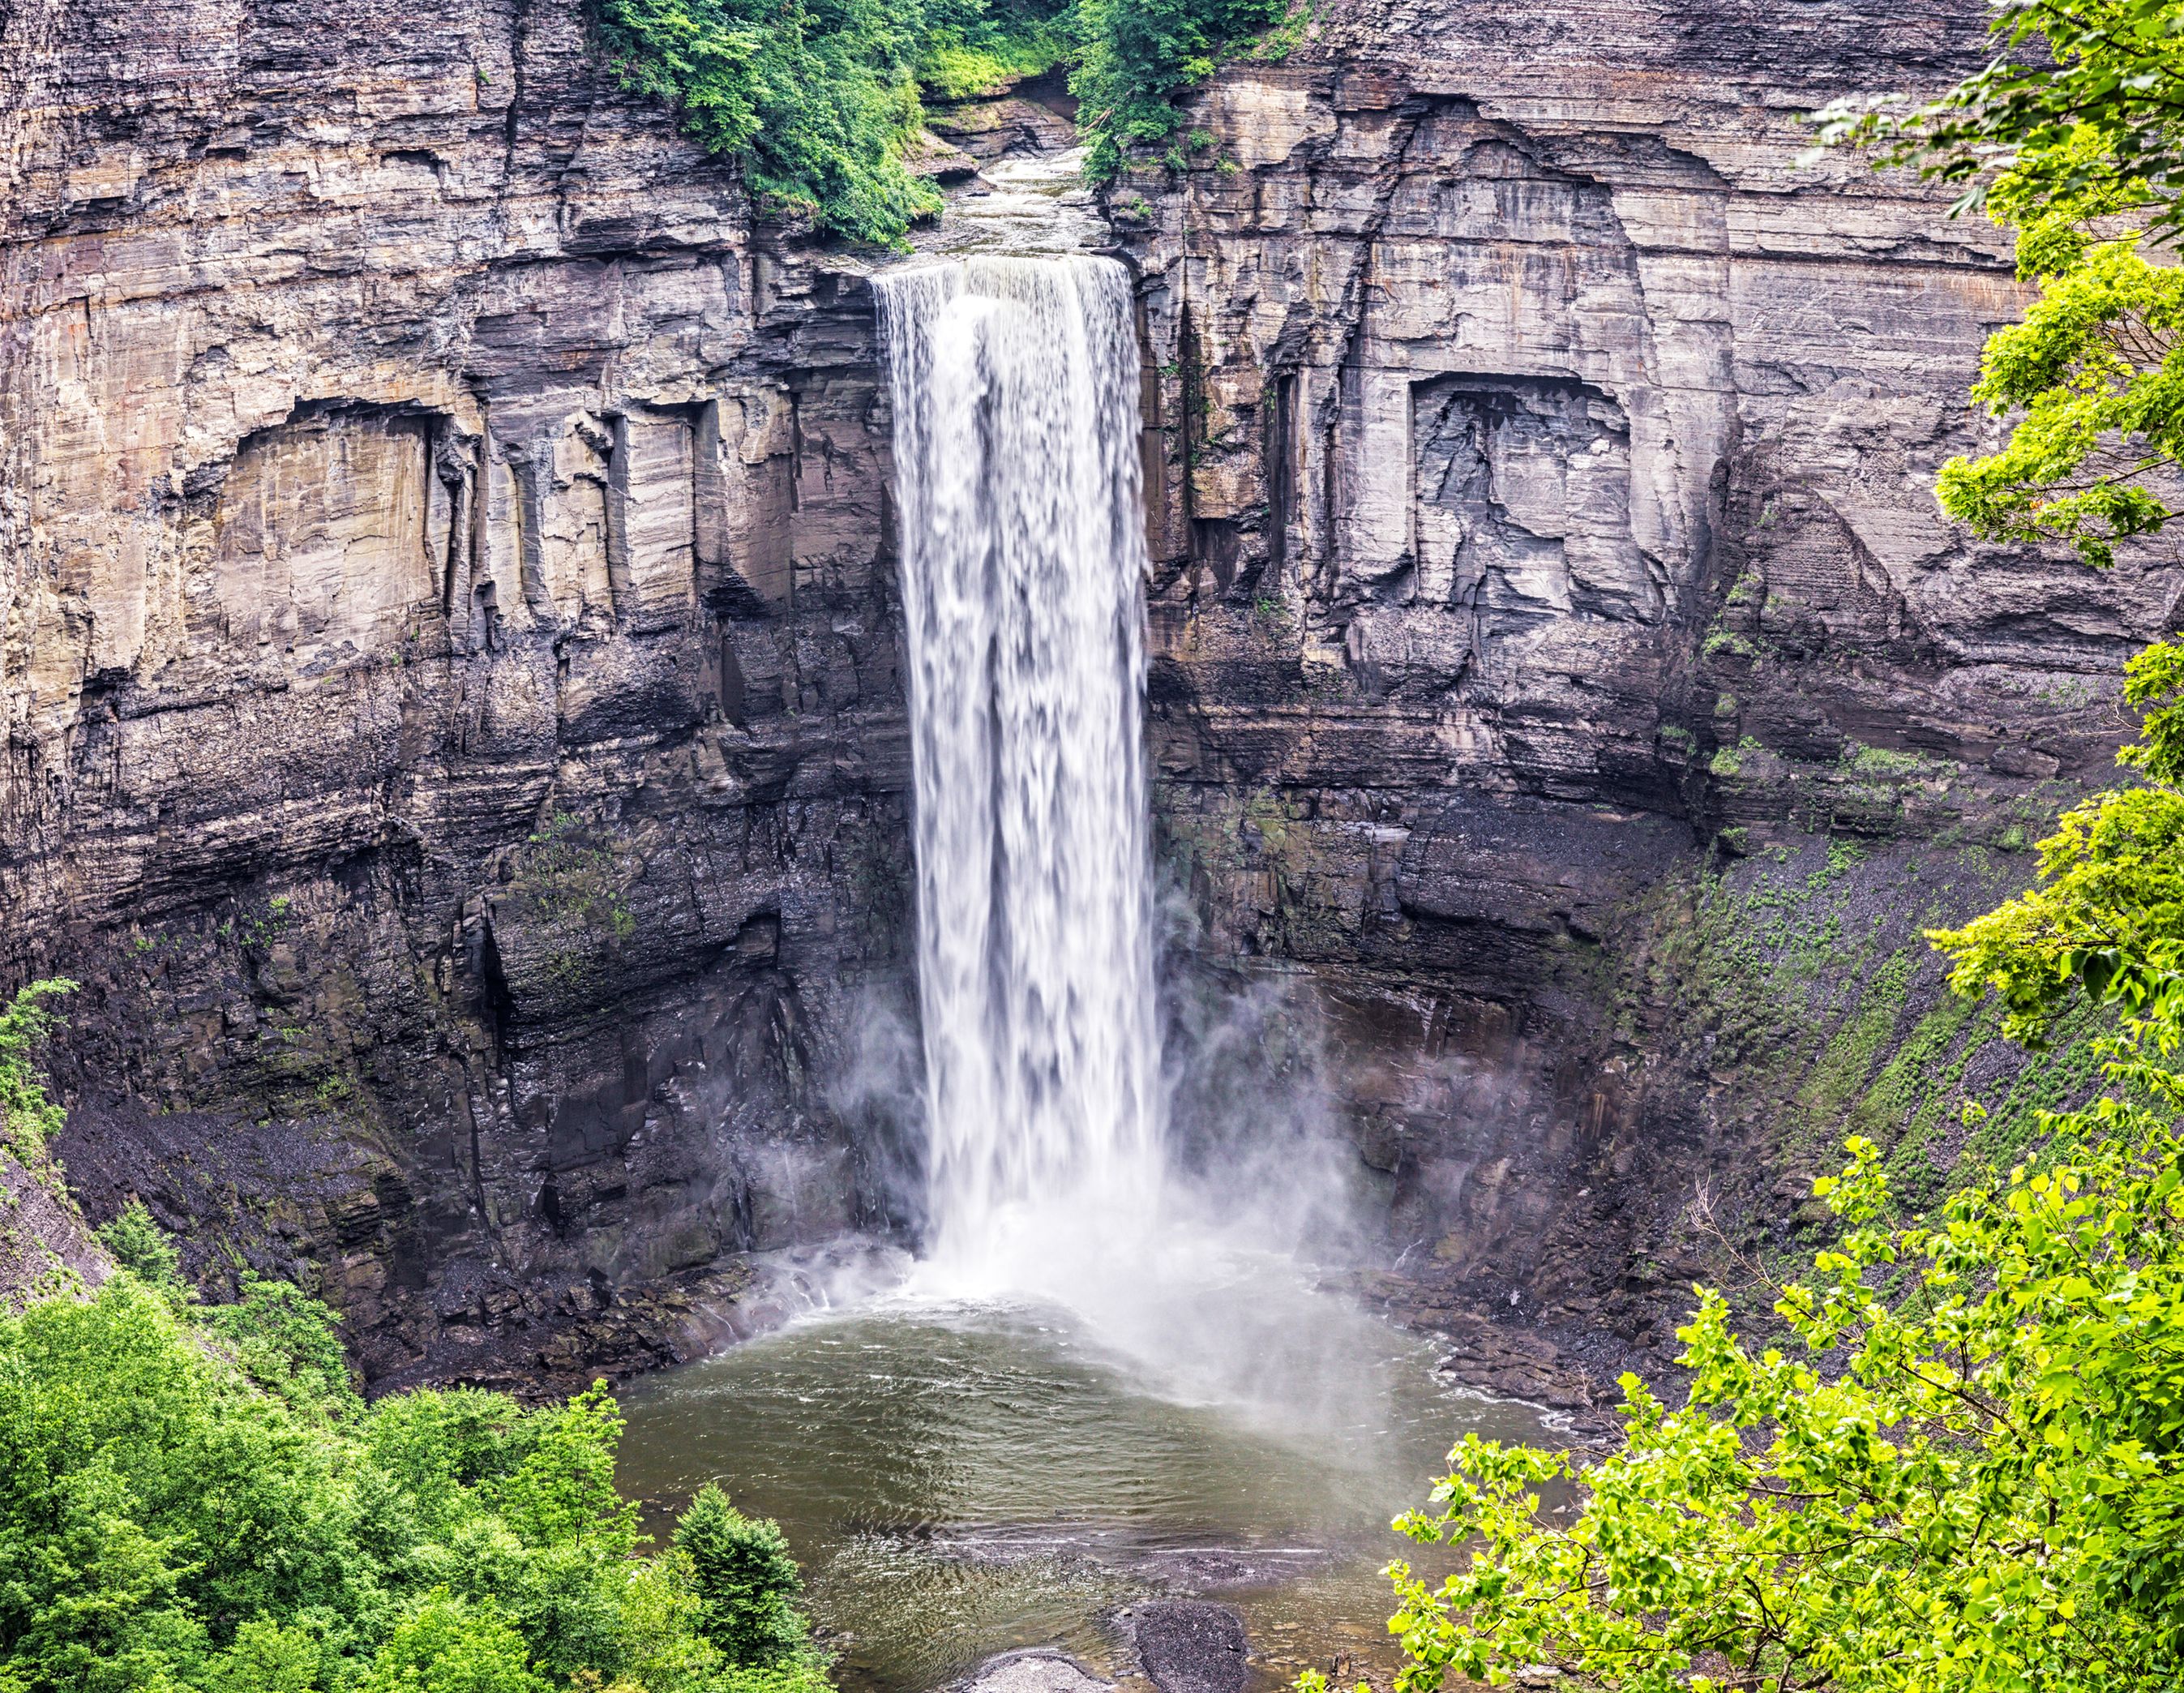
<point>964,1478</point>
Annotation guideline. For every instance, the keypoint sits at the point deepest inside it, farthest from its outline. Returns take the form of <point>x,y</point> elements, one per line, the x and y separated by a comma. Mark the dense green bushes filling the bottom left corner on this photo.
<point>198,1500</point>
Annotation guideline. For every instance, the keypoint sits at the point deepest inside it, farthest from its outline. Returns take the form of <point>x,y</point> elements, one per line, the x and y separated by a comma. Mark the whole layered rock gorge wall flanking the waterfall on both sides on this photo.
<point>455,722</point>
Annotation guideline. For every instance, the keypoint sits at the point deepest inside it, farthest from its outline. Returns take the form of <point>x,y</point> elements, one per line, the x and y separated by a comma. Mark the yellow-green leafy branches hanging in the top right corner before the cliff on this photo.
<point>2072,132</point>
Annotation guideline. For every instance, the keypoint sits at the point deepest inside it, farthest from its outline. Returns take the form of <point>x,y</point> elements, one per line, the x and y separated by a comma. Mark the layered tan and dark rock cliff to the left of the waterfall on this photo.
<point>449,670</point>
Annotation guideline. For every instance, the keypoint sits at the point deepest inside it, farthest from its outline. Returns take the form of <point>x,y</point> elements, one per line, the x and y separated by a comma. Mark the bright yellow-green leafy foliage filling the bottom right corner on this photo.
<point>1980,1487</point>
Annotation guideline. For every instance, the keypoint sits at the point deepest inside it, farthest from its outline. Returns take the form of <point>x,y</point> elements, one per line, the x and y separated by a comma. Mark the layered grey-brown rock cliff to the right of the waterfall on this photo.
<point>1543,466</point>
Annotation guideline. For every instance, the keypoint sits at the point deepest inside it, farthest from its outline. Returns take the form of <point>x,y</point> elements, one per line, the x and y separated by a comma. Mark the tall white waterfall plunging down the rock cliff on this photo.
<point>1023,580</point>
